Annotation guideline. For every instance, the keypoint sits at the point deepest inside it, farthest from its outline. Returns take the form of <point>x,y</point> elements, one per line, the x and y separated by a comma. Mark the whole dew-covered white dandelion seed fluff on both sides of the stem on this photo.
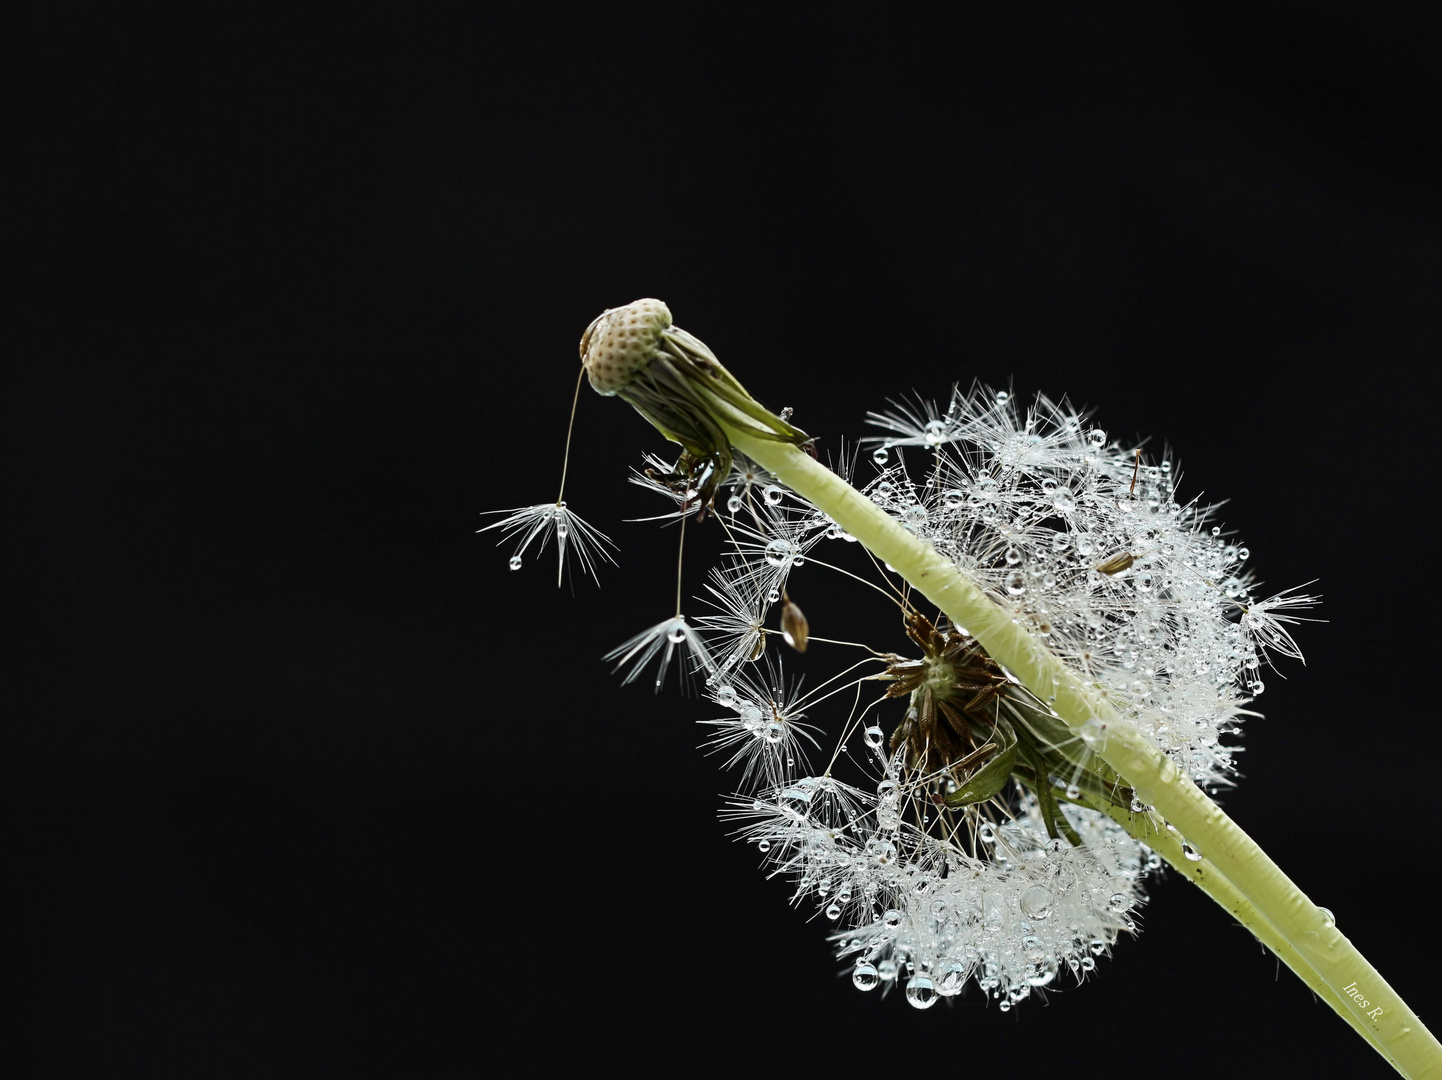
<point>1085,543</point>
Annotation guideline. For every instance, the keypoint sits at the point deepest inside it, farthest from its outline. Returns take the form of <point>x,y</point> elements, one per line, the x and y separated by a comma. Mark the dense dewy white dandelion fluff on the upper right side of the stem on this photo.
<point>1085,541</point>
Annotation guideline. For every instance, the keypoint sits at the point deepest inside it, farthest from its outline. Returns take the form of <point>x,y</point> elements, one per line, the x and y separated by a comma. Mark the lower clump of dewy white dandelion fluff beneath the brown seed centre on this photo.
<point>921,912</point>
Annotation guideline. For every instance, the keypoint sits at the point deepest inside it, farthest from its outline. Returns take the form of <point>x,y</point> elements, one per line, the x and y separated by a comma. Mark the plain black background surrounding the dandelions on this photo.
<point>305,782</point>
